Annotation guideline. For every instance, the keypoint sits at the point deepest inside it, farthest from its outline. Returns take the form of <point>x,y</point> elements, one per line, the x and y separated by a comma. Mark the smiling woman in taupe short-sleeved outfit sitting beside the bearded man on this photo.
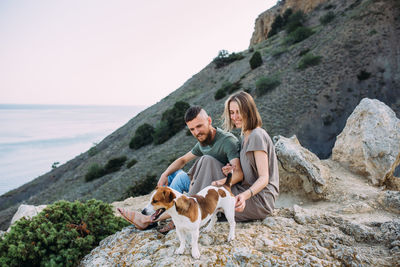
<point>257,192</point>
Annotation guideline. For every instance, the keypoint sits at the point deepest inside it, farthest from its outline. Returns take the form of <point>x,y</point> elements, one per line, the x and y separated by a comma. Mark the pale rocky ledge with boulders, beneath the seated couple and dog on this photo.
<point>329,213</point>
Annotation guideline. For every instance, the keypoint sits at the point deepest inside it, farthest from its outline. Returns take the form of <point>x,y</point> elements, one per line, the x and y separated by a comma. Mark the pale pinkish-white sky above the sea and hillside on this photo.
<point>103,52</point>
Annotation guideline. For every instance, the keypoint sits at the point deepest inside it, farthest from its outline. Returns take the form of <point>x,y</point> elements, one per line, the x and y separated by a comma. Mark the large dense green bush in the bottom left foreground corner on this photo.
<point>61,235</point>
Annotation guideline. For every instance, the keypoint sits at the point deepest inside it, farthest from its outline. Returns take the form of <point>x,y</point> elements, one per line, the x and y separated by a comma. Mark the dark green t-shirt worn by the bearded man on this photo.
<point>224,147</point>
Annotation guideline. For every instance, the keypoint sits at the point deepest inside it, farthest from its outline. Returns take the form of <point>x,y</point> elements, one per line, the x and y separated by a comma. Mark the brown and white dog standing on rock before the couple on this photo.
<point>191,213</point>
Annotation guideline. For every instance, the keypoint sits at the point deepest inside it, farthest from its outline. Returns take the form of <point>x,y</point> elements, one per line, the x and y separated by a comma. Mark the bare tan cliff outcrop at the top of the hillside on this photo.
<point>264,21</point>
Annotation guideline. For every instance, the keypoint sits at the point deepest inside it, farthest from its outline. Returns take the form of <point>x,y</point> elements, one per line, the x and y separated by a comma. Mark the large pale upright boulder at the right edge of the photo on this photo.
<point>370,143</point>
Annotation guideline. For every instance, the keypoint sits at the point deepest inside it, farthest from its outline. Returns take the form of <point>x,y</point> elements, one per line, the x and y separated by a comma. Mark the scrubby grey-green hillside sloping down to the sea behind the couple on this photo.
<point>359,57</point>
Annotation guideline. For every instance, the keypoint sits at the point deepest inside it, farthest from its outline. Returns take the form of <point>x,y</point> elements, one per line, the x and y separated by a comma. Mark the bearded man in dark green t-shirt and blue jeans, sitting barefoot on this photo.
<point>214,150</point>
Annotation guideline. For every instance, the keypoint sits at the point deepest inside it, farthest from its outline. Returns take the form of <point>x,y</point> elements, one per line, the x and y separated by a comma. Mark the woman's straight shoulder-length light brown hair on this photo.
<point>251,119</point>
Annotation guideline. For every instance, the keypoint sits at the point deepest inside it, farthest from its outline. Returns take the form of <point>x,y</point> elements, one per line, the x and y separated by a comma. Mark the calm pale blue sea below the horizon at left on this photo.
<point>33,137</point>
